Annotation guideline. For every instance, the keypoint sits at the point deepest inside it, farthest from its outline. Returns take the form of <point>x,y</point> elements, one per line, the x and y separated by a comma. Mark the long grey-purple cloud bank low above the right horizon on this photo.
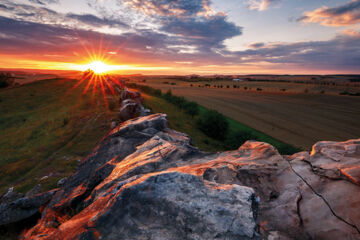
<point>340,53</point>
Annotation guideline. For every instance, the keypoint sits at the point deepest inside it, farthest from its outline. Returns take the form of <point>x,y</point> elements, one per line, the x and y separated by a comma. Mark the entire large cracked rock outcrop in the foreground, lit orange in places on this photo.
<point>146,181</point>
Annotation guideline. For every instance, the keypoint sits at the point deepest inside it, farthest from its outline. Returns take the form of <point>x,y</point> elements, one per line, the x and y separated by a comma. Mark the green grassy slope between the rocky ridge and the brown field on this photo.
<point>184,123</point>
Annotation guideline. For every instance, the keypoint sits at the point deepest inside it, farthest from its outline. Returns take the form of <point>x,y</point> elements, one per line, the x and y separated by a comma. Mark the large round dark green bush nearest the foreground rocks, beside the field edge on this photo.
<point>213,124</point>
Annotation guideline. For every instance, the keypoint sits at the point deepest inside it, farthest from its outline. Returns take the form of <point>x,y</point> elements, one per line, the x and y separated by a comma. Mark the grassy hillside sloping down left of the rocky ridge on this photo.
<point>45,128</point>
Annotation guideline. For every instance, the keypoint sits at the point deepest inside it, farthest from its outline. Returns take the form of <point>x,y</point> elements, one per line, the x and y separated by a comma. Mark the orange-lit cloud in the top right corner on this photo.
<point>344,15</point>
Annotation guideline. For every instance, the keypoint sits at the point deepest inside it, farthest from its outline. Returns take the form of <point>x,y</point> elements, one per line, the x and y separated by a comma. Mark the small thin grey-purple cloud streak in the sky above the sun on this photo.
<point>96,21</point>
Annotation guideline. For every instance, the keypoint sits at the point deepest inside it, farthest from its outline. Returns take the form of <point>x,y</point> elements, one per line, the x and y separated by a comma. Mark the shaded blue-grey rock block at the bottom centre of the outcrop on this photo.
<point>179,206</point>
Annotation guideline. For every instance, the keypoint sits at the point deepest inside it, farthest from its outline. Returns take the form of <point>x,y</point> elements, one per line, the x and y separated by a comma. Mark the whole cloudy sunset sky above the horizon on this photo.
<point>183,36</point>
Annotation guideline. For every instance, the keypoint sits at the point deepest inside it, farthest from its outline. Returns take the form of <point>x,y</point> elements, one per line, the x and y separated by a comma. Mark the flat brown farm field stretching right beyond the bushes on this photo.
<point>294,117</point>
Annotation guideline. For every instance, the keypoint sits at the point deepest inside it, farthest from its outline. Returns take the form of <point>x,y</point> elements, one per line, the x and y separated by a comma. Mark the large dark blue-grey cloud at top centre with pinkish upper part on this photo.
<point>192,21</point>
